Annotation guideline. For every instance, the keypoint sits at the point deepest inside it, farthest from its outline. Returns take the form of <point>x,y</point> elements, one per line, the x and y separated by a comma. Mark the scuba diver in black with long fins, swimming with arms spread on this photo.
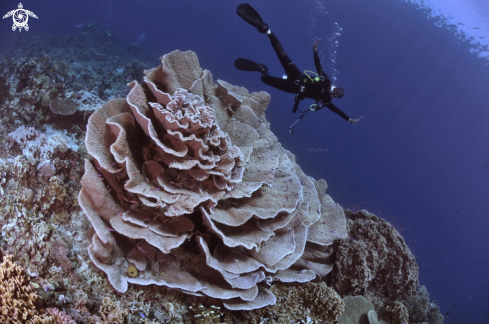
<point>317,87</point>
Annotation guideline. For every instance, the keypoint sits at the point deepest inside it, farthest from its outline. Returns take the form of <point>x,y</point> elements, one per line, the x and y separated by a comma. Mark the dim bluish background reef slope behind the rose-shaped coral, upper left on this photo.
<point>87,68</point>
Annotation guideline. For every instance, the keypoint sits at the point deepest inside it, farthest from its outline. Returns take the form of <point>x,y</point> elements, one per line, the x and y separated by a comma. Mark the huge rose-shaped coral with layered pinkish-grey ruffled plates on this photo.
<point>189,185</point>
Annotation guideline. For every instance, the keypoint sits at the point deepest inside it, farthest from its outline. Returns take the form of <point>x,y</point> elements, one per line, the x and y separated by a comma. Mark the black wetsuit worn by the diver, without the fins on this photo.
<point>316,90</point>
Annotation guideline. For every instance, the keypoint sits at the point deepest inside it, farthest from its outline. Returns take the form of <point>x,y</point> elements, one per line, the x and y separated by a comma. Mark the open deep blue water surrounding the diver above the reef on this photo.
<point>419,157</point>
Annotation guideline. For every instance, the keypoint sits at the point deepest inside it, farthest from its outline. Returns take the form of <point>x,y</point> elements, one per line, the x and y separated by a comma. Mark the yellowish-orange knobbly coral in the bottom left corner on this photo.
<point>18,300</point>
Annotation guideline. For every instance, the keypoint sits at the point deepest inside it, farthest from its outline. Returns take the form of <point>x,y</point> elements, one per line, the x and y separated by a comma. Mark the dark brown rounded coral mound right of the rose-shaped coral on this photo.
<point>374,261</point>
